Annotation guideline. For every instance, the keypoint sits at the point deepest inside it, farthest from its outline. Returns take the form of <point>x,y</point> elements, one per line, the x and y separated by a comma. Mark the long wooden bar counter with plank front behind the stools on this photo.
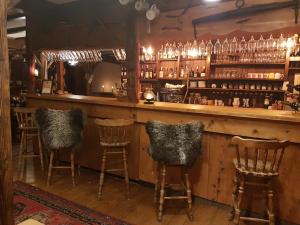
<point>213,173</point>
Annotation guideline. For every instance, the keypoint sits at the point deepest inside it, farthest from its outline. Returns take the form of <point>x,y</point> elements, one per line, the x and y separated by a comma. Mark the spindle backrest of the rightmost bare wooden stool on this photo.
<point>260,156</point>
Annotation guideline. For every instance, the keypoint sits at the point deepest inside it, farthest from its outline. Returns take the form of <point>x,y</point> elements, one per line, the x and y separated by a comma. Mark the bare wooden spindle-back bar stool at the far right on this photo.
<point>258,159</point>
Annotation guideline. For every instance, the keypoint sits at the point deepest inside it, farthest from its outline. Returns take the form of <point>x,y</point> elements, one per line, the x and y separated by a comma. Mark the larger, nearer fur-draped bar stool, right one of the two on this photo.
<point>174,145</point>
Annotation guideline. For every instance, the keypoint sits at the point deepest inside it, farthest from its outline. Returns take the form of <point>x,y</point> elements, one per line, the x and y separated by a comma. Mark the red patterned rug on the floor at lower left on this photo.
<point>49,209</point>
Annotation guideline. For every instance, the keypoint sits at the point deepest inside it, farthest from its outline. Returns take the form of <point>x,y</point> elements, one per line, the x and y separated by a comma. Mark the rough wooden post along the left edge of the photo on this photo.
<point>6,185</point>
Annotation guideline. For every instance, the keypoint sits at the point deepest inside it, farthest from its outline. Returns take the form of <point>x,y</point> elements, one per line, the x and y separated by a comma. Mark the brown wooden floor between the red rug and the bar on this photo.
<point>138,210</point>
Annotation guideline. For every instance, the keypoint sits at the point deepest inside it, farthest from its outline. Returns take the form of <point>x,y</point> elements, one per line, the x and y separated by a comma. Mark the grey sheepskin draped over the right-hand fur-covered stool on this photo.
<point>175,144</point>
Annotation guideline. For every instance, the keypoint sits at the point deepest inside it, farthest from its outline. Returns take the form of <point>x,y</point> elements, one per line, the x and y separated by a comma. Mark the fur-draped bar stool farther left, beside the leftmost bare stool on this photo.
<point>60,130</point>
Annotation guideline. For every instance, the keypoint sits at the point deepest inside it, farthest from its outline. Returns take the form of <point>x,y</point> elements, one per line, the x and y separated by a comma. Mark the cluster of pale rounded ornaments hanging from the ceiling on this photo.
<point>152,11</point>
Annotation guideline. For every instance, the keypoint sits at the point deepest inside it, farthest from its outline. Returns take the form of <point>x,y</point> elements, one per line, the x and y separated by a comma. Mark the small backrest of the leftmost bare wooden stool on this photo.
<point>25,117</point>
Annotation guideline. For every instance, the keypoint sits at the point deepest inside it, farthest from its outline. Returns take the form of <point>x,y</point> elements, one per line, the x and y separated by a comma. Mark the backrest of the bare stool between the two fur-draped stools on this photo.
<point>114,131</point>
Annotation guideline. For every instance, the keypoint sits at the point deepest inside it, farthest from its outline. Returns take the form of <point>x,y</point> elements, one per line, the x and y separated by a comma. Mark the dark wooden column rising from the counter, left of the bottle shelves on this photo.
<point>132,55</point>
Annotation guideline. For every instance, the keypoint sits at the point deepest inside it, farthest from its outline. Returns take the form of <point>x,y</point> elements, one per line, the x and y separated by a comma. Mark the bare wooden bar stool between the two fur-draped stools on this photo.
<point>114,133</point>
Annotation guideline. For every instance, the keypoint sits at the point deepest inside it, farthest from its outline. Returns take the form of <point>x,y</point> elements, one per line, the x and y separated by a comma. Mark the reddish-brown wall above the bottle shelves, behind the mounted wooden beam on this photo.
<point>275,22</point>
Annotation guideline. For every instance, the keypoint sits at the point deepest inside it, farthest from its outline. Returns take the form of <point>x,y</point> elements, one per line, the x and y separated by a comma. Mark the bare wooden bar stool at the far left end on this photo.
<point>29,130</point>
